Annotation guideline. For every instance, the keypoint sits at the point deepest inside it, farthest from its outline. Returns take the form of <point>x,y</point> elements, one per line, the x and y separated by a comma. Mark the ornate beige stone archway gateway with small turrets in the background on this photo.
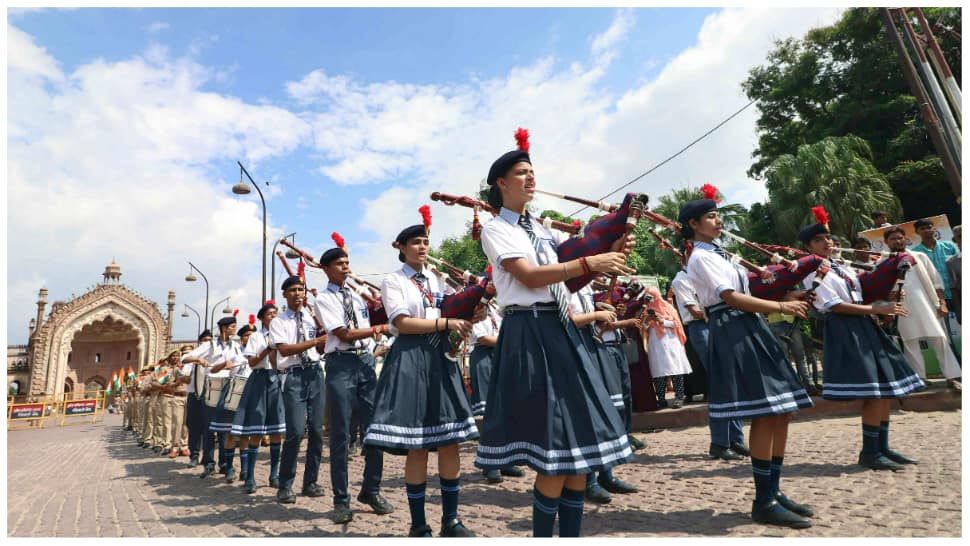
<point>108,315</point>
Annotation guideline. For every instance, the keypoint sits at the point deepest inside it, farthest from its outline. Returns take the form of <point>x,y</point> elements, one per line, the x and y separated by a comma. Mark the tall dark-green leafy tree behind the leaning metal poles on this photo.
<point>846,79</point>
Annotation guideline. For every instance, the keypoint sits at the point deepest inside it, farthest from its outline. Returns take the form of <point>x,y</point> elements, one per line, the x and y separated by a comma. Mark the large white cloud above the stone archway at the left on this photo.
<point>132,160</point>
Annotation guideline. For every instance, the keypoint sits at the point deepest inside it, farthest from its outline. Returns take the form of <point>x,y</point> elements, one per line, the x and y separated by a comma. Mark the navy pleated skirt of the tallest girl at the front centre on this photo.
<point>548,407</point>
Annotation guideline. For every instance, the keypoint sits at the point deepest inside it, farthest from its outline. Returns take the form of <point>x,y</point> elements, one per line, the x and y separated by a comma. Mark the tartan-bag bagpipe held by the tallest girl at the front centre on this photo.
<point>595,238</point>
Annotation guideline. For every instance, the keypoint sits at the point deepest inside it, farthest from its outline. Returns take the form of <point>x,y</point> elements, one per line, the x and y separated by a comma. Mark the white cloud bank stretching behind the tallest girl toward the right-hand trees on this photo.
<point>584,141</point>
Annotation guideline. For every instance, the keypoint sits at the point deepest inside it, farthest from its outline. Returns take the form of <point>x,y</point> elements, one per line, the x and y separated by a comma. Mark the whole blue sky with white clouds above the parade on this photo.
<point>354,115</point>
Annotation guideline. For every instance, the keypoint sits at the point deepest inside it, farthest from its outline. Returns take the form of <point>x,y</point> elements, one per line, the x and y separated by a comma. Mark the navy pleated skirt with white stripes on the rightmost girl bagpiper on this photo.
<point>861,362</point>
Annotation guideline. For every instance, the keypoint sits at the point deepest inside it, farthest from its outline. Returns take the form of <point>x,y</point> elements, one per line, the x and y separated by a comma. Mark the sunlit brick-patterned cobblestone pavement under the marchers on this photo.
<point>92,480</point>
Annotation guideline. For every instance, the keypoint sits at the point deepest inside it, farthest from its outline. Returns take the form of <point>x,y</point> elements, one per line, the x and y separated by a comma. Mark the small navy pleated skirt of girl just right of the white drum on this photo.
<point>260,406</point>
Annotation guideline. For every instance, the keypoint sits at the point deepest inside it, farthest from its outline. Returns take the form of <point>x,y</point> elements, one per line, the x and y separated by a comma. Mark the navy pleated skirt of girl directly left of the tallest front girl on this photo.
<point>420,401</point>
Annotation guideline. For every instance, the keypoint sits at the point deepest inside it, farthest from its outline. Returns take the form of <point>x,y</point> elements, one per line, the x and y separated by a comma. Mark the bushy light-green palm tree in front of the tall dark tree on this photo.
<point>836,173</point>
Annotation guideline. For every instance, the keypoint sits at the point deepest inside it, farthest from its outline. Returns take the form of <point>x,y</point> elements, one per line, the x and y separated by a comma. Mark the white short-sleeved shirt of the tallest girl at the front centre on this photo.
<point>503,238</point>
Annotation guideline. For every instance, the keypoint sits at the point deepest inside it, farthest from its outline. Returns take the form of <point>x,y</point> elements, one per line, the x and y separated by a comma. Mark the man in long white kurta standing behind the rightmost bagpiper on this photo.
<point>923,289</point>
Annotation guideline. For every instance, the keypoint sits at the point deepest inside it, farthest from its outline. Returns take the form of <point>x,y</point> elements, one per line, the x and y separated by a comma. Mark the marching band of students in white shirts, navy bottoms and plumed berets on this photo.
<point>555,392</point>
